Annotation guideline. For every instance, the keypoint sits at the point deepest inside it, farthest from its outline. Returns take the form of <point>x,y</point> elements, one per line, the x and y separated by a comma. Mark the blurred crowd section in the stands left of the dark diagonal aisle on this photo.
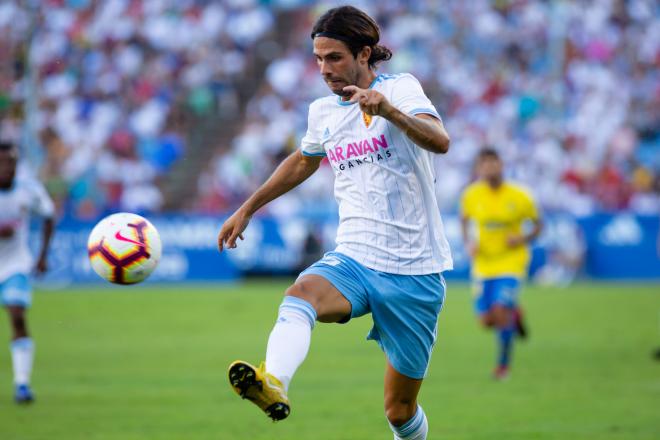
<point>113,83</point>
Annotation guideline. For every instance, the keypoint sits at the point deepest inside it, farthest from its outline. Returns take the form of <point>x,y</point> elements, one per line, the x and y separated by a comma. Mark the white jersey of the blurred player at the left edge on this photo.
<point>26,196</point>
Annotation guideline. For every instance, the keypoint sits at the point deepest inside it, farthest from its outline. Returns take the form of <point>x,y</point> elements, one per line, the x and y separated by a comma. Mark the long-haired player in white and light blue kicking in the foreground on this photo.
<point>379,133</point>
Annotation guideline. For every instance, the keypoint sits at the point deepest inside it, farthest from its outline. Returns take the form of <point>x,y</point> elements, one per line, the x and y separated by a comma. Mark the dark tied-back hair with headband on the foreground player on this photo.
<point>356,29</point>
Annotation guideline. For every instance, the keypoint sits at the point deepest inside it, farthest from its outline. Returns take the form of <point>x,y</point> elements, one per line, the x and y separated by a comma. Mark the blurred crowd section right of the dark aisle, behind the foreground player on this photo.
<point>568,91</point>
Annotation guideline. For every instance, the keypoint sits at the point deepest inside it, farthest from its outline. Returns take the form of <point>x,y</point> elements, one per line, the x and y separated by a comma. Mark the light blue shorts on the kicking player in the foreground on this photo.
<point>404,308</point>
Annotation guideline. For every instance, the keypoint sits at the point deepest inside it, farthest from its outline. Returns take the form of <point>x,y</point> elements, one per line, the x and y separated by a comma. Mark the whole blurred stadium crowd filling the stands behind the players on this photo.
<point>568,92</point>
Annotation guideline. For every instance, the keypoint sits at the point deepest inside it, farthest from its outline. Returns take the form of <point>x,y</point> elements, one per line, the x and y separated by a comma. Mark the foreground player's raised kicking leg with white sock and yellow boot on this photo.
<point>312,297</point>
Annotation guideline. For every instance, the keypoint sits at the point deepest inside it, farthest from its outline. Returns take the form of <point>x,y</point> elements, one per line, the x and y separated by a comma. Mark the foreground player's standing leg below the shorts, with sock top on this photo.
<point>406,418</point>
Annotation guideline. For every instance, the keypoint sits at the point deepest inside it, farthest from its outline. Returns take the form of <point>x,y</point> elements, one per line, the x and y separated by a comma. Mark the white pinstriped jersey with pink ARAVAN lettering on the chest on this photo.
<point>389,219</point>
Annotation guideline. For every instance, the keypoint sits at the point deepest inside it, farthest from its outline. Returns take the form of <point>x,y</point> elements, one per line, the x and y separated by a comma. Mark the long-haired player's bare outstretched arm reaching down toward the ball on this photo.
<point>293,170</point>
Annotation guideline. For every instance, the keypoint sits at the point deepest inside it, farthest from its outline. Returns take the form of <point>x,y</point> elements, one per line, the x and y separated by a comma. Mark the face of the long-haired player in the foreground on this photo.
<point>337,64</point>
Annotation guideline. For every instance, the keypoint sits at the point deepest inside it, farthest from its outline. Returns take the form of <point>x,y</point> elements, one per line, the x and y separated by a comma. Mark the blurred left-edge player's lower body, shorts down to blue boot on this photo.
<point>17,296</point>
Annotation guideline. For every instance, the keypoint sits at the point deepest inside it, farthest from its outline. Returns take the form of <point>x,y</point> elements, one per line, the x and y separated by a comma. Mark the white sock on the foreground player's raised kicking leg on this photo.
<point>289,341</point>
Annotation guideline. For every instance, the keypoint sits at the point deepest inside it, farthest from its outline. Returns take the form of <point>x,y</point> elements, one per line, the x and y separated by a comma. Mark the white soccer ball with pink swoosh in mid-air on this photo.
<point>124,248</point>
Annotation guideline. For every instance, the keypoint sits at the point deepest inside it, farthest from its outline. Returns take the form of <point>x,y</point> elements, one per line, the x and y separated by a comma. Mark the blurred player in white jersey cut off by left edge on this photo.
<point>18,198</point>
